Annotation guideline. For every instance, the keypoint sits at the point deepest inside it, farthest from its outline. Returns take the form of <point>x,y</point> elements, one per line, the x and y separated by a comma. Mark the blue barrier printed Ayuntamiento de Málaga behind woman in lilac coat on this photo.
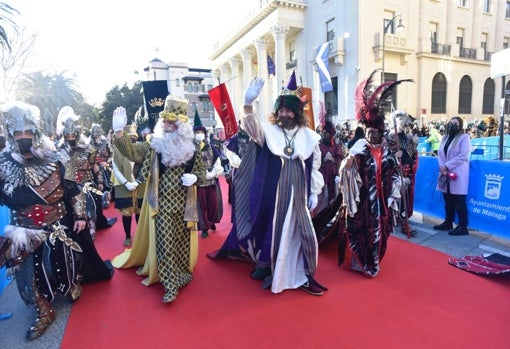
<point>488,199</point>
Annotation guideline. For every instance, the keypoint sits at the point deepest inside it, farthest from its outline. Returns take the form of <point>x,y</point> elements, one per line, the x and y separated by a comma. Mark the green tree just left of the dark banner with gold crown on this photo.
<point>129,98</point>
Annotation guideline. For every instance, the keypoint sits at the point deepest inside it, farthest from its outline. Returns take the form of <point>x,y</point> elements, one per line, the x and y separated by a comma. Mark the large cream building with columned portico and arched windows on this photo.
<point>445,46</point>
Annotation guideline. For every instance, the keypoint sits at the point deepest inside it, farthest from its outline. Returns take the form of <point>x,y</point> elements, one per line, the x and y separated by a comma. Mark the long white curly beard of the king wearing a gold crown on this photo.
<point>176,147</point>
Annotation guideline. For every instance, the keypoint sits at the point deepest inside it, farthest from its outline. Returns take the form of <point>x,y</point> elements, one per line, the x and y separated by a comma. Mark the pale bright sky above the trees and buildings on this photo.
<point>103,42</point>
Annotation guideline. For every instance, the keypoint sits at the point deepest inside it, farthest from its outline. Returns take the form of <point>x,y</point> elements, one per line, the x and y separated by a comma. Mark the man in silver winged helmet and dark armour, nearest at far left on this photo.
<point>45,211</point>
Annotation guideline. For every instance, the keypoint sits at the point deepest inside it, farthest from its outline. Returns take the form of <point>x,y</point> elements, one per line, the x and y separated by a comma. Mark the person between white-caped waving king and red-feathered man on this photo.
<point>330,199</point>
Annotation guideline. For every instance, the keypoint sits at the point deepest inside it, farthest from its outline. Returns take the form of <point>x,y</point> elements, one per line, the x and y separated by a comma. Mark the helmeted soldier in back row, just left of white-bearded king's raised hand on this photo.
<point>104,153</point>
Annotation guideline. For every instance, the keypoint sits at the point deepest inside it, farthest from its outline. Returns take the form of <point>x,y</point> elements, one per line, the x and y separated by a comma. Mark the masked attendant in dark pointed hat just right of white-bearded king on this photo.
<point>210,204</point>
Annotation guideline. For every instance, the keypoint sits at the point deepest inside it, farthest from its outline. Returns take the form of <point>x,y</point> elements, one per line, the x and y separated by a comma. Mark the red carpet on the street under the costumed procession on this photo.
<point>417,301</point>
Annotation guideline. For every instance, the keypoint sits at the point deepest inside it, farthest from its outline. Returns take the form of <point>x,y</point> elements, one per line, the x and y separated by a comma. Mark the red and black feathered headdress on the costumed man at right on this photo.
<point>373,102</point>
